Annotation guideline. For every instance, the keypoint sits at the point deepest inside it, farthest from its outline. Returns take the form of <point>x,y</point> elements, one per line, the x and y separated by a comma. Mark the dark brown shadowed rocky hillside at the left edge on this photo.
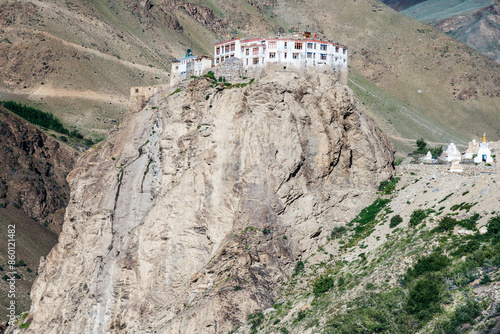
<point>33,171</point>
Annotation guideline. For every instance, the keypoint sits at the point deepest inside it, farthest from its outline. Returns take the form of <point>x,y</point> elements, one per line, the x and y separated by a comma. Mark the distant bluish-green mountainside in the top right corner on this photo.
<point>472,22</point>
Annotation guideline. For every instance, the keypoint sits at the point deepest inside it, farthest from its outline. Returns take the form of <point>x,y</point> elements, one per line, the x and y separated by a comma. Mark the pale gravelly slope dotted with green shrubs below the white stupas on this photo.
<point>435,274</point>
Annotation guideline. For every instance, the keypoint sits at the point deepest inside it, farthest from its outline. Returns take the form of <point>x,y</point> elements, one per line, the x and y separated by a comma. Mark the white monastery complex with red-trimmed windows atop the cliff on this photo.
<point>249,57</point>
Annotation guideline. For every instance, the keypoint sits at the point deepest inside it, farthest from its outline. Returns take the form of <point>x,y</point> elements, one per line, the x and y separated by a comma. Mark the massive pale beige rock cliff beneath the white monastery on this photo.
<point>193,214</point>
